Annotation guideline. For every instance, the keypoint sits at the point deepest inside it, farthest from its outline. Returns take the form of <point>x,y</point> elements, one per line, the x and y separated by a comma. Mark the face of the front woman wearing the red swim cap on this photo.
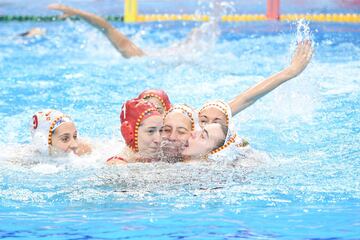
<point>149,136</point>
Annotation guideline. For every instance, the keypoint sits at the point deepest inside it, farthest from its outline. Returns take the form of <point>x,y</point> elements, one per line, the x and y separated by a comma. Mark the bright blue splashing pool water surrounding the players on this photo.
<point>305,134</point>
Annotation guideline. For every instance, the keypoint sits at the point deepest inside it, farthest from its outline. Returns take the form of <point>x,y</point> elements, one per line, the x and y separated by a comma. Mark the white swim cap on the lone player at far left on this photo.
<point>43,126</point>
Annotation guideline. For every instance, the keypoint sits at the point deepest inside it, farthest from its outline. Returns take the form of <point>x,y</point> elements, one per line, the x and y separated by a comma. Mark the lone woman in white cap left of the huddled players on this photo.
<point>54,133</point>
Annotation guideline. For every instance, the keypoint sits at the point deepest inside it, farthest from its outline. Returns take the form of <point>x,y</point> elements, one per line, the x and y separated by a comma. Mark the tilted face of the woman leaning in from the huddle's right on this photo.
<point>204,141</point>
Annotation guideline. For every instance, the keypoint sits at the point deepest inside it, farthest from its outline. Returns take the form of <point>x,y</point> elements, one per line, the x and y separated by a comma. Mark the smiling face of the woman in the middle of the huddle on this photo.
<point>176,132</point>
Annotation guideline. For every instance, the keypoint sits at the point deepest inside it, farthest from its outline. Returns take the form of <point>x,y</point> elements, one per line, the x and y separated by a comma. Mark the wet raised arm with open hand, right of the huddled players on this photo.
<point>299,62</point>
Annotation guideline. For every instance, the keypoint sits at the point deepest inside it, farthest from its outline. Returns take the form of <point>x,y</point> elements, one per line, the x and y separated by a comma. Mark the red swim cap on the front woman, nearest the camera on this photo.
<point>133,112</point>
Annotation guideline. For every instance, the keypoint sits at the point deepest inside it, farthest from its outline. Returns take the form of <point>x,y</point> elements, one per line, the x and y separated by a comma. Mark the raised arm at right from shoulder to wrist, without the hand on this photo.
<point>251,95</point>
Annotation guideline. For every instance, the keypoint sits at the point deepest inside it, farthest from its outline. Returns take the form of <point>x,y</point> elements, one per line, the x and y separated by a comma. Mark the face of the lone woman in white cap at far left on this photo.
<point>64,139</point>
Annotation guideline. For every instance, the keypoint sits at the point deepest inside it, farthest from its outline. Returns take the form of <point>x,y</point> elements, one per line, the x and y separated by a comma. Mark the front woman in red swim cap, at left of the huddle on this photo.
<point>140,127</point>
